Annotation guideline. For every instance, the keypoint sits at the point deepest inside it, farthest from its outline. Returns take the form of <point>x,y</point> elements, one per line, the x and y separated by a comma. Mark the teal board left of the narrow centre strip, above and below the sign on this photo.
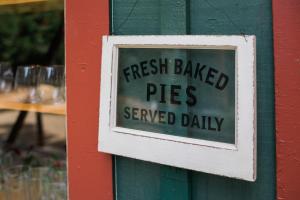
<point>135,179</point>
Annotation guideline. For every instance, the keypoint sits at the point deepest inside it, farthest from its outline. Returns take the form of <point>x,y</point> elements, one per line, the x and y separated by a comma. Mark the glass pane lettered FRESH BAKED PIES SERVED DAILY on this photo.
<point>181,92</point>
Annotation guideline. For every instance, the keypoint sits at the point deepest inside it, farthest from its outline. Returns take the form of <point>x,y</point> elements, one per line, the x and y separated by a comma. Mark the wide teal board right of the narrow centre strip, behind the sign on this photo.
<point>238,17</point>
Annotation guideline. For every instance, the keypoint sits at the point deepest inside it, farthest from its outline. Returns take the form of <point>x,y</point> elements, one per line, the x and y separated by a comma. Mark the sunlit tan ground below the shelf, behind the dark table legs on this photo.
<point>54,132</point>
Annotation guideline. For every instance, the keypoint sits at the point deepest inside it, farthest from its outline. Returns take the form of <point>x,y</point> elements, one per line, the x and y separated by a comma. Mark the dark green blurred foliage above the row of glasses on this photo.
<point>25,38</point>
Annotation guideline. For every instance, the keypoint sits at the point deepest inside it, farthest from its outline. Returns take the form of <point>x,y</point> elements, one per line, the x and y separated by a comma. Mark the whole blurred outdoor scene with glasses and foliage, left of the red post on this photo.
<point>32,133</point>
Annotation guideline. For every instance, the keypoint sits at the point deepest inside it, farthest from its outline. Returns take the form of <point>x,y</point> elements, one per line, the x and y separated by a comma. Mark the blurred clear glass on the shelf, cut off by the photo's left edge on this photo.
<point>6,77</point>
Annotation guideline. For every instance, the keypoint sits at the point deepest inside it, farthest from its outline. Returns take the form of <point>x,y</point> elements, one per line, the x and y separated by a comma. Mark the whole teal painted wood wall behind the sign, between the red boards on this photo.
<point>139,180</point>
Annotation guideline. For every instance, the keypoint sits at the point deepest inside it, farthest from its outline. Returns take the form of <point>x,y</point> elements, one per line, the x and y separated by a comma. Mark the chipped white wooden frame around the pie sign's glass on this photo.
<point>233,160</point>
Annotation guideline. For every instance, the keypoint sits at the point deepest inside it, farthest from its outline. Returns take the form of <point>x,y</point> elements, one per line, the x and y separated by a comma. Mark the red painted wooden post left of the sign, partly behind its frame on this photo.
<point>90,172</point>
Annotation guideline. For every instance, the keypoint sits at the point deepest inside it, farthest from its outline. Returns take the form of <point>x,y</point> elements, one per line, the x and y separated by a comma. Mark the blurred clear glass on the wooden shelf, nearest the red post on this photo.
<point>51,84</point>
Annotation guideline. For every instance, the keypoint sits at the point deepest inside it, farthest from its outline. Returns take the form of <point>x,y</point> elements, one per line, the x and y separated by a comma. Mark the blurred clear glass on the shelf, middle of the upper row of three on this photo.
<point>26,81</point>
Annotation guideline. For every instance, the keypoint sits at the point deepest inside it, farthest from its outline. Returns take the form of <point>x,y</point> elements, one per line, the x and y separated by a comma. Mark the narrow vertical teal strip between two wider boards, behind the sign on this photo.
<point>174,182</point>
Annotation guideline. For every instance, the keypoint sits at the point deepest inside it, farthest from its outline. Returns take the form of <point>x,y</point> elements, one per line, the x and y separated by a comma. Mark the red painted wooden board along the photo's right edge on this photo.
<point>287,82</point>
